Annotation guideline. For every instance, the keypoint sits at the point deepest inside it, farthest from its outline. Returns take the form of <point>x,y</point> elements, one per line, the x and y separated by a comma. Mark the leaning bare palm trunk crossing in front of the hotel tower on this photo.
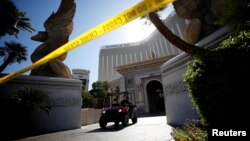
<point>172,38</point>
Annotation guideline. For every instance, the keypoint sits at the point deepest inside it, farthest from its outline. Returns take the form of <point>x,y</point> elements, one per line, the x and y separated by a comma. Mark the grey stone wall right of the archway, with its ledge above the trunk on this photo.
<point>177,101</point>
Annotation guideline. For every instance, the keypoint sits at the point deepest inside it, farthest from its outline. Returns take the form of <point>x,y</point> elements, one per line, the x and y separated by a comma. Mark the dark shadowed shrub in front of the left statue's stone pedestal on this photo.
<point>18,114</point>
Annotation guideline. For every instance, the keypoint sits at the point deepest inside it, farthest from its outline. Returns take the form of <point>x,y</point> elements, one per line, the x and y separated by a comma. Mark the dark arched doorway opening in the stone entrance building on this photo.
<point>155,96</point>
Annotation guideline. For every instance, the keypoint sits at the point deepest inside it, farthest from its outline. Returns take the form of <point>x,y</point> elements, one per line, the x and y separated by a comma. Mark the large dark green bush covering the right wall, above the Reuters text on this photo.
<point>218,82</point>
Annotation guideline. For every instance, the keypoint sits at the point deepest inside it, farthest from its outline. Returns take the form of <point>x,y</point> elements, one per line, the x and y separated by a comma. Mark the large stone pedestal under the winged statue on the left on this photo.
<point>64,96</point>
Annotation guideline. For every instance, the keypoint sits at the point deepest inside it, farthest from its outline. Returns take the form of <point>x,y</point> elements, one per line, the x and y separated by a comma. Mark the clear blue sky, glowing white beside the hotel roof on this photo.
<point>89,13</point>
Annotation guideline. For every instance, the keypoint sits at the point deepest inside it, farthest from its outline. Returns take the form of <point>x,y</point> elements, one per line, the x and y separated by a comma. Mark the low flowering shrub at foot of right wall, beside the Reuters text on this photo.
<point>191,130</point>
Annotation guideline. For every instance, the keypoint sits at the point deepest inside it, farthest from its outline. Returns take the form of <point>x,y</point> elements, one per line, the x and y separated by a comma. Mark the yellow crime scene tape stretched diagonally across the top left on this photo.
<point>124,17</point>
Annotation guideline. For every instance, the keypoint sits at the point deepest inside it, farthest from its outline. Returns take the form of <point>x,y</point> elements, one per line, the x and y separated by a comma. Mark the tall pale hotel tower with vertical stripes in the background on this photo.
<point>154,46</point>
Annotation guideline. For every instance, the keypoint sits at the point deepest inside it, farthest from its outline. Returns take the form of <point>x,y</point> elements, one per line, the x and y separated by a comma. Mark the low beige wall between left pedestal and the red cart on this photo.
<point>90,116</point>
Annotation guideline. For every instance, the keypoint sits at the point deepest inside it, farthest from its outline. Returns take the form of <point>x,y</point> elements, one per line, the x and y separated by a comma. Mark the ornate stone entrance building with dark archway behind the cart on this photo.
<point>144,81</point>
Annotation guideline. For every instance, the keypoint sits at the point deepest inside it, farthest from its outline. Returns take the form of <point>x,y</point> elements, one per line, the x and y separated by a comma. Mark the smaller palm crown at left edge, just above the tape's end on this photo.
<point>12,52</point>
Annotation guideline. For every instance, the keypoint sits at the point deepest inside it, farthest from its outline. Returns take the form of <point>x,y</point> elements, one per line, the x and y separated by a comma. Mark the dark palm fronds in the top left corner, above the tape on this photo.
<point>12,19</point>
